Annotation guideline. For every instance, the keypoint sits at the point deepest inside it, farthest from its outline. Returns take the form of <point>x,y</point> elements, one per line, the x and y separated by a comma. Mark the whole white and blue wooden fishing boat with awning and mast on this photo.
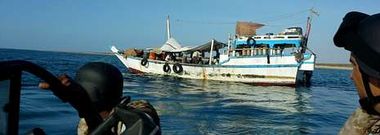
<point>270,59</point>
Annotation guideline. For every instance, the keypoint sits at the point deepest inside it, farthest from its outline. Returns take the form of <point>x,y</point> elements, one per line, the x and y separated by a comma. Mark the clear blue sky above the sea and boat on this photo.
<point>94,25</point>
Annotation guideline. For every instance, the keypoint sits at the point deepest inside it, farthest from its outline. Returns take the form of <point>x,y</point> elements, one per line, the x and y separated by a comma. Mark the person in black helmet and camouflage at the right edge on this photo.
<point>359,33</point>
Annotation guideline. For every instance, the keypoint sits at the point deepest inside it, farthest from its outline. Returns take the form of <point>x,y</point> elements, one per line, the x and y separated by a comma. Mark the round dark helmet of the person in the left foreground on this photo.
<point>103,83</point>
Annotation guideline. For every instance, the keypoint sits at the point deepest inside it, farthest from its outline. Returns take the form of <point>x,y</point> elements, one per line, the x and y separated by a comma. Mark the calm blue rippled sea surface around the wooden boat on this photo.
<point>196,106</point>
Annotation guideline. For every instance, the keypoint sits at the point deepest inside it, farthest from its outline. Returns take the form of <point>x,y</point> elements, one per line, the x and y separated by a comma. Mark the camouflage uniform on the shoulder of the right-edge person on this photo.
<point>361,123</point>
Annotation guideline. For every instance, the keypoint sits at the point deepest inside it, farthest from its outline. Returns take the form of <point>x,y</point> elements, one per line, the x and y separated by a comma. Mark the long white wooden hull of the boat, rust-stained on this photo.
<point>281,70</point>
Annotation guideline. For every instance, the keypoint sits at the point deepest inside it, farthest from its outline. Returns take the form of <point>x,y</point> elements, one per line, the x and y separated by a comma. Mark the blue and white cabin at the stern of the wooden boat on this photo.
<point>268,44</point>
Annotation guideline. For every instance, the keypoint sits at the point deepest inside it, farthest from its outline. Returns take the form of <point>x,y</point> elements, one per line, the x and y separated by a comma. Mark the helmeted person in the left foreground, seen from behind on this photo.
<point>104,85</point>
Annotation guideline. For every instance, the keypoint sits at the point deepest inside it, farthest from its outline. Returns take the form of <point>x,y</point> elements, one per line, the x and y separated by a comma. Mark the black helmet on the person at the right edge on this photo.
<point>360,34</point>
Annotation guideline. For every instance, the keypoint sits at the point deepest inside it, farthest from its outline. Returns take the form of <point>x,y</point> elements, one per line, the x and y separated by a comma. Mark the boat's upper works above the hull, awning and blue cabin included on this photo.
<point>288,42</point>
